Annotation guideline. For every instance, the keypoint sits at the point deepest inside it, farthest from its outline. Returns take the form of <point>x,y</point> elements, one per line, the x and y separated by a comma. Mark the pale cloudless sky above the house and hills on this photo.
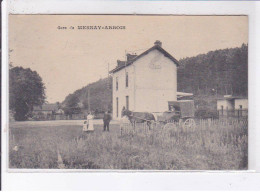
<point>69,59</point>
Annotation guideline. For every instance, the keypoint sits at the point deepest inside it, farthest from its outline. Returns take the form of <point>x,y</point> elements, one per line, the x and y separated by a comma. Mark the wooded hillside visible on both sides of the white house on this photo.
<point>208,76</point>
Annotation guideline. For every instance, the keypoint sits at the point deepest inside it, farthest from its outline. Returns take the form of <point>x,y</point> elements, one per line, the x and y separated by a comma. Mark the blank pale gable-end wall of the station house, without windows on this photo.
<point>156,82</point>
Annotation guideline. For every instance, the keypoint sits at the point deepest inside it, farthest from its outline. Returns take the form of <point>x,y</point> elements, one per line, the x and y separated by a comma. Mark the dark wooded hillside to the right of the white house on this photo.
<point>219,72</point>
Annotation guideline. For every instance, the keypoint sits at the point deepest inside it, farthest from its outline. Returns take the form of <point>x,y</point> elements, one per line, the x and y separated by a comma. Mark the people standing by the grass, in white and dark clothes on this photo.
<point>88,125</point>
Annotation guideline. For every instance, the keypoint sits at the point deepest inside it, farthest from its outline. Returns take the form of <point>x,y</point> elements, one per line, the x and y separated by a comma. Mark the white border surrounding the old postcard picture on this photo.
<point>116,180</point>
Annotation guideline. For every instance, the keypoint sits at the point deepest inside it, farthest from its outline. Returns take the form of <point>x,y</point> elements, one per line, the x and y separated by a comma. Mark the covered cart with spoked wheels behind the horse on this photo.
<point>180,113</point>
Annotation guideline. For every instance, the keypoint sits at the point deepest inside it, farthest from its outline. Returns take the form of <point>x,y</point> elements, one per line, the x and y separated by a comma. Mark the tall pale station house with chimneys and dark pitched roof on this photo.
<point>145,82</point>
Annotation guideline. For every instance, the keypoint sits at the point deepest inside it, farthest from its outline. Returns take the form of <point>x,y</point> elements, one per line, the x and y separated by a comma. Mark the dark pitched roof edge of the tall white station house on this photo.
<point>166,54</point>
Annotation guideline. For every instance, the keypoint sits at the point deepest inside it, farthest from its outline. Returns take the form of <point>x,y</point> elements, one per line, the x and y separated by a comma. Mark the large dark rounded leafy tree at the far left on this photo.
<point>26,90</point>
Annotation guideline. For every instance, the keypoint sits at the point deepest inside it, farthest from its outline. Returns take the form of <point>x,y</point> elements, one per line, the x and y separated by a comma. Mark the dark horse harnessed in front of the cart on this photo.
<point>139,117</point>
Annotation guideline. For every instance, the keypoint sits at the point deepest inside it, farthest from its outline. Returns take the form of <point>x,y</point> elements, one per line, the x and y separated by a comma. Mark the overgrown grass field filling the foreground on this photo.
<point>214,146</point>
